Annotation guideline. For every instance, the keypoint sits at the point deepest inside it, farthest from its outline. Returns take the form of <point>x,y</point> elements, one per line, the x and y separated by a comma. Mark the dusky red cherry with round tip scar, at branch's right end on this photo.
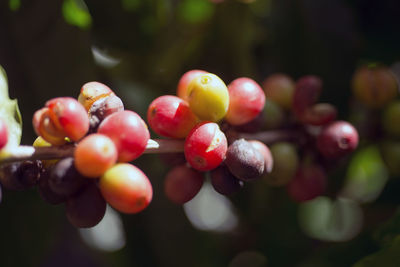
<point>337,139</point>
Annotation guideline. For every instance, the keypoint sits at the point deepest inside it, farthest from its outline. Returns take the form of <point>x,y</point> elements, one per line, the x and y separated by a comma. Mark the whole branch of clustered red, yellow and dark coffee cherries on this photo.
<point>240,132</point>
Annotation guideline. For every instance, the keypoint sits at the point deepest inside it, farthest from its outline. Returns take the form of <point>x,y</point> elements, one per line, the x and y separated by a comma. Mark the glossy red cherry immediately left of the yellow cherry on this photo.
<point>171,116</point>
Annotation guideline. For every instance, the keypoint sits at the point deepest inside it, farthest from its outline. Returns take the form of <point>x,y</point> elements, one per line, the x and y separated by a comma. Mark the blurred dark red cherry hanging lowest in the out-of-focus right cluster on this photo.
<point>309,182</point>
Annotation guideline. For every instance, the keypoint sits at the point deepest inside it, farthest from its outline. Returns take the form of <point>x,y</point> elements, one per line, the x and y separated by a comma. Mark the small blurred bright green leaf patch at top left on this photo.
<point>75,12</point>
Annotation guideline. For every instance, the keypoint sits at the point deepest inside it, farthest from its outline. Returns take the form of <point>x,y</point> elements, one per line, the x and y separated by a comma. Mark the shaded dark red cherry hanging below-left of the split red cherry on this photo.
<point>182,183</point>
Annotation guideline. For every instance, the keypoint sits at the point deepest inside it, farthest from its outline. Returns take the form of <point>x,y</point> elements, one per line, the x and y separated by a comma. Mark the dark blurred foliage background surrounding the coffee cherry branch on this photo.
<point>140,49</point>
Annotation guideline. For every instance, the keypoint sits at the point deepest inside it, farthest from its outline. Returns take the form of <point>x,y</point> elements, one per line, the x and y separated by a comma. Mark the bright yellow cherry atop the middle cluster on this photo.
<point>208,97</point>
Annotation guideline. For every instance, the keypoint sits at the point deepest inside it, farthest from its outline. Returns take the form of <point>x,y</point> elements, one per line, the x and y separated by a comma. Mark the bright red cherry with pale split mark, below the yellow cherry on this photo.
<point>205,146</point>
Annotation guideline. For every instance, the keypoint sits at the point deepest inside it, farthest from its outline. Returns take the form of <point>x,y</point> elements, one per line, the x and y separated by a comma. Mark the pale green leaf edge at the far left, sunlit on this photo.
<point>9,113</point>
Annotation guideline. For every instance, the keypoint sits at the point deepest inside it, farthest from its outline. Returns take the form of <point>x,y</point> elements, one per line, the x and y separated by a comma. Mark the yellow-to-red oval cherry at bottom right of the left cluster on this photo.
<point>126,188</point>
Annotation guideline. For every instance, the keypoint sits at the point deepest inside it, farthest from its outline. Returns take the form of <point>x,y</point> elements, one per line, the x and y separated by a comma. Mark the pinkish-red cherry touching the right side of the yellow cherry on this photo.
<point>246,101</point>
